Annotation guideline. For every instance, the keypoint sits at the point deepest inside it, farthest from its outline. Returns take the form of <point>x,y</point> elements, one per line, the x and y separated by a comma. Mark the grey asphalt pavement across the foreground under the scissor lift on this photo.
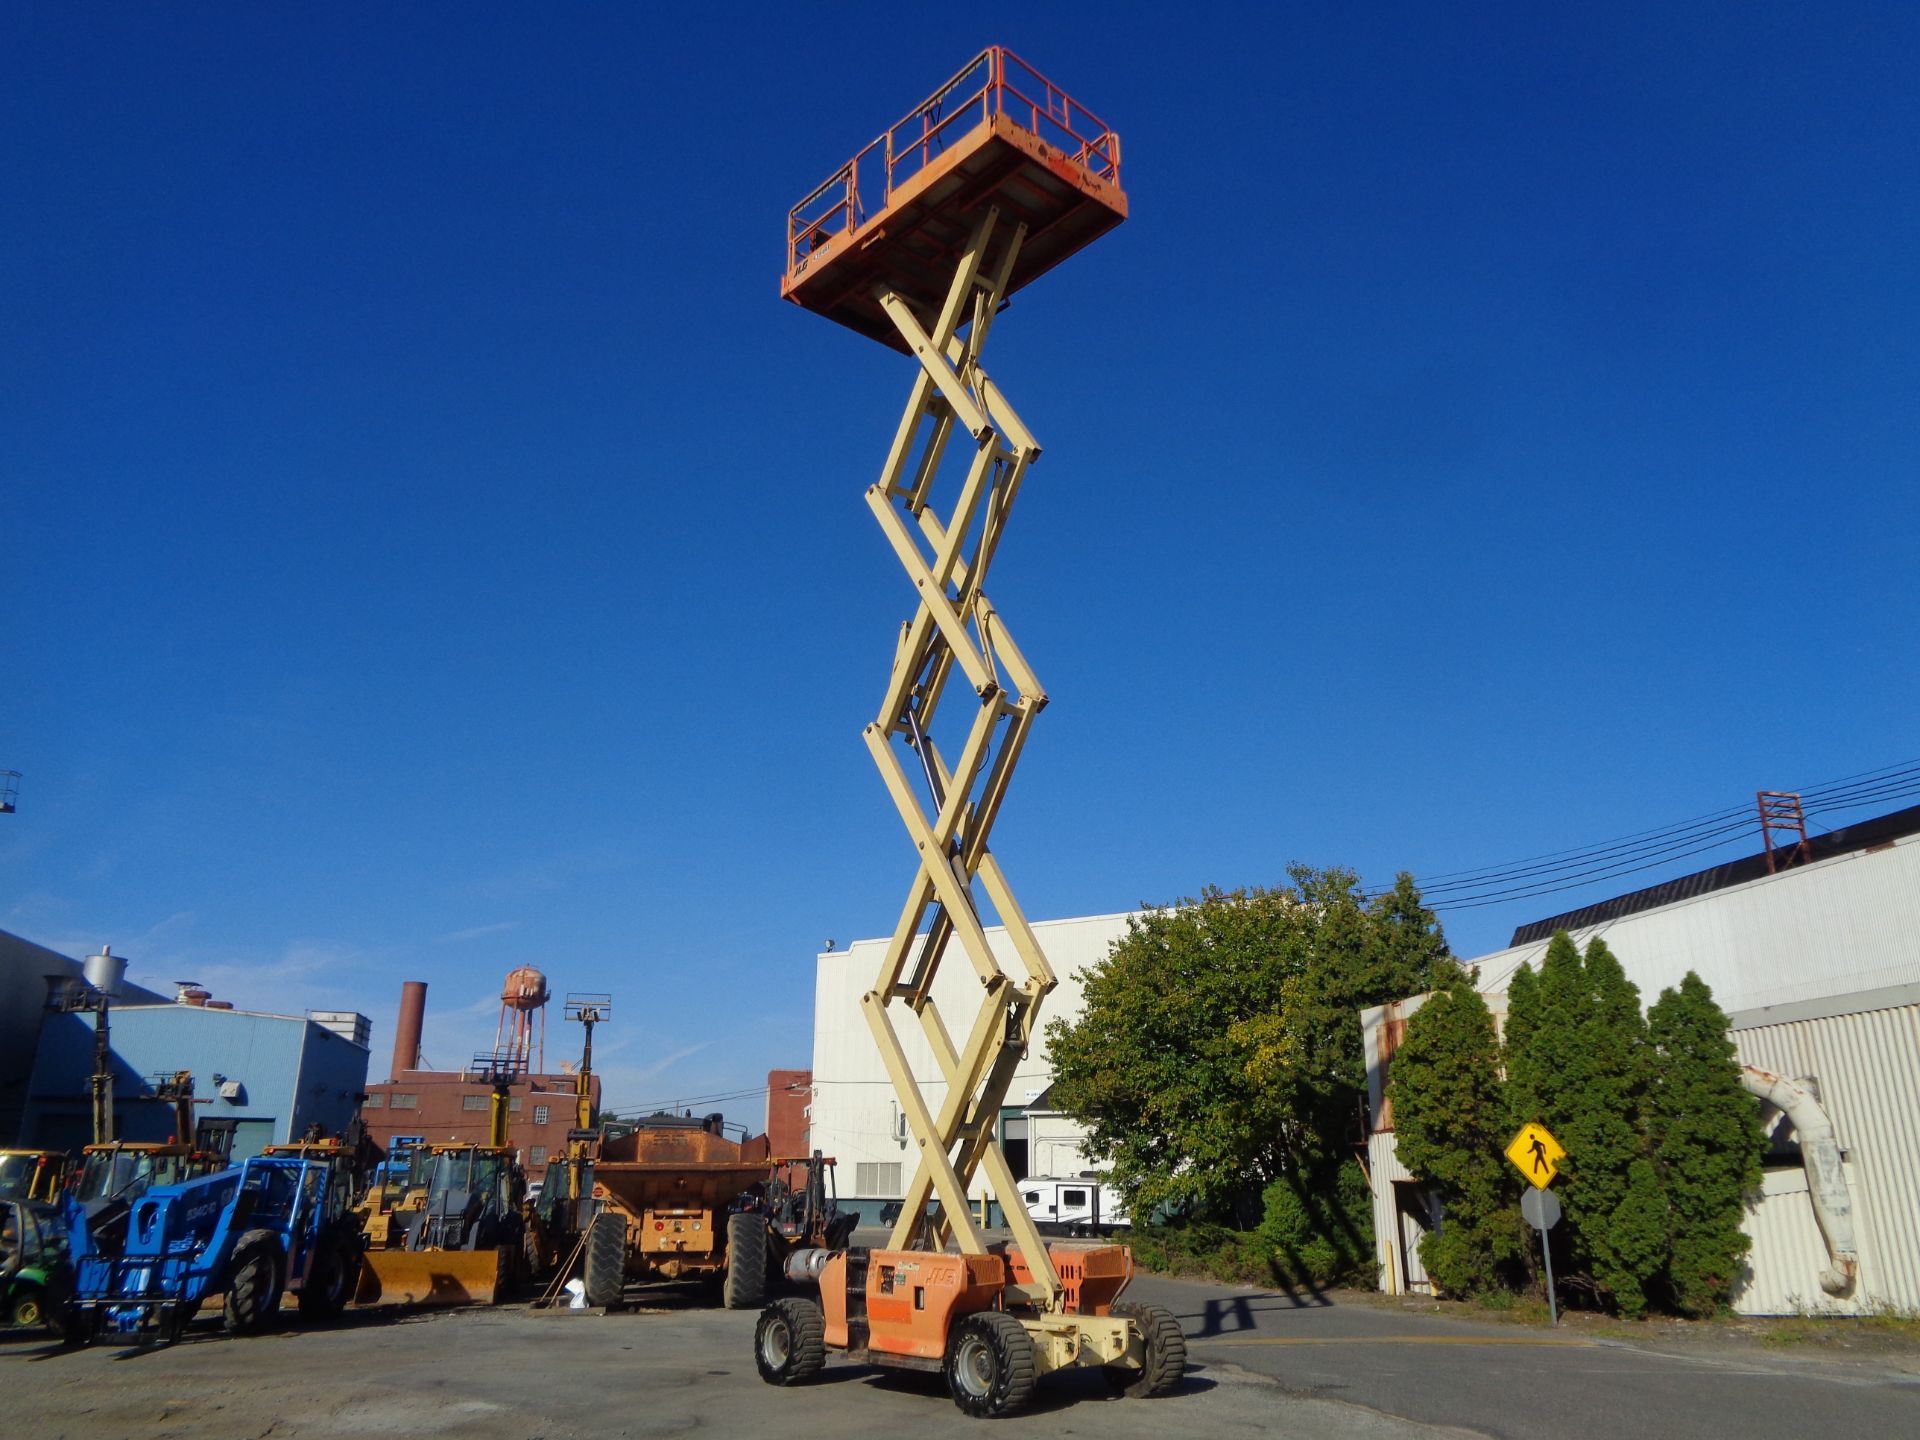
<point>1264,1364</point>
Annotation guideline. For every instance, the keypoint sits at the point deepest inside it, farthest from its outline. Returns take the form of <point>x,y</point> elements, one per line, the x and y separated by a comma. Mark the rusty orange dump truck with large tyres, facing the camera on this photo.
<point>679,1201</point>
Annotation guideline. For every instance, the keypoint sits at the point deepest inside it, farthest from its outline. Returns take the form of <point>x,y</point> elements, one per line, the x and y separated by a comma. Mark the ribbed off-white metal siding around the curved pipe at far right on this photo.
<point>1869,1072</point>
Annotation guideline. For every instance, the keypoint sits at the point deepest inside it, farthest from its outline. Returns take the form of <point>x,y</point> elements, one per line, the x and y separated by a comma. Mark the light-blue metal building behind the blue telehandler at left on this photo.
<point>266,1078</point>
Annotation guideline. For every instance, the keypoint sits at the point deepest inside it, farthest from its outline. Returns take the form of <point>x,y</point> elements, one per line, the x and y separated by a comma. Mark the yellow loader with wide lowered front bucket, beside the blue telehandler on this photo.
<point>458,1236</point>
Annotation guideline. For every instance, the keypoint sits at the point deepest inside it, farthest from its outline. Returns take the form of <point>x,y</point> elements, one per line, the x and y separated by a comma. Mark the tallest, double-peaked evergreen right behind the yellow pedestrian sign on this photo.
<point>1579,1063</point>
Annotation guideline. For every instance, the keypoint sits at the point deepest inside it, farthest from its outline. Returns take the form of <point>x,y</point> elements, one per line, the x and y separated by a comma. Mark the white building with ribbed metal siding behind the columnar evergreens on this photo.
<point>1819,971</point>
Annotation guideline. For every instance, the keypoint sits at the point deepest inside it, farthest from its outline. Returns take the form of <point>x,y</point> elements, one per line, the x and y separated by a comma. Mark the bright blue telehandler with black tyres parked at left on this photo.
<point>254,1234</point>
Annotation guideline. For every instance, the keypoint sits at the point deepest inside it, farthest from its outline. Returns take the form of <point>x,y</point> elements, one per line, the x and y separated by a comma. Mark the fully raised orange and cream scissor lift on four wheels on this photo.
<point>919,243</point>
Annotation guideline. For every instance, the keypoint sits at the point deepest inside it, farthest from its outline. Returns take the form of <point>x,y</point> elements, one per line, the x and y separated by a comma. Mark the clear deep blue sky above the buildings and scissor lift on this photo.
<point>431,546</point>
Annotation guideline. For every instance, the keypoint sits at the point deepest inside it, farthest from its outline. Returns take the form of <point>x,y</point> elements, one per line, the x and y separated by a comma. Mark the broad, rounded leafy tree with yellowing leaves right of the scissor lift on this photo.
<point>1218,1051</point>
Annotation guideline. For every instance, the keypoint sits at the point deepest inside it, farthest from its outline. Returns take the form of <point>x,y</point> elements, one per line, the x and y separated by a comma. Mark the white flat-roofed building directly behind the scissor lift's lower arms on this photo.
<point>855,1116</point>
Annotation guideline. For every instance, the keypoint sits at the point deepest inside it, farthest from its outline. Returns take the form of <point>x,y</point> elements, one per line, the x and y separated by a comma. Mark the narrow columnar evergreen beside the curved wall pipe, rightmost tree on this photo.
<point>1706,1134</point>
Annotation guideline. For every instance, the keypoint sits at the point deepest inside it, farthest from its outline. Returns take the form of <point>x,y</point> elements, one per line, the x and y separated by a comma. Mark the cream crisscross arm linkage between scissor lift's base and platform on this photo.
<point>951,809</point>
